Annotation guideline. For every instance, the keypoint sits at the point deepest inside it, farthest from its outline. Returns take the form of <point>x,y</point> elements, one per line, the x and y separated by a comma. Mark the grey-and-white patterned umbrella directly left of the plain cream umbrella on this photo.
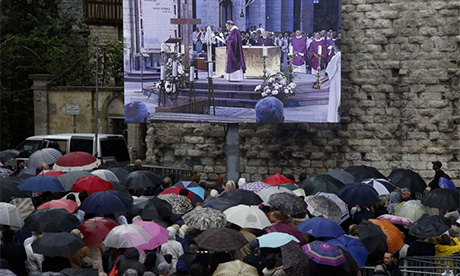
<point>205,218</point>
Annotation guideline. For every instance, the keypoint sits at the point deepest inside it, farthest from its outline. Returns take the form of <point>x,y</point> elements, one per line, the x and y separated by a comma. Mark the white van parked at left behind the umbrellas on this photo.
<point>111,148</point>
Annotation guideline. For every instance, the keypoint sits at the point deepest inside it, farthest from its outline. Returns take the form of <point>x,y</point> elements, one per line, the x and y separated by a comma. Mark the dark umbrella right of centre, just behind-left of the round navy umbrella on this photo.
<point>321,183</point>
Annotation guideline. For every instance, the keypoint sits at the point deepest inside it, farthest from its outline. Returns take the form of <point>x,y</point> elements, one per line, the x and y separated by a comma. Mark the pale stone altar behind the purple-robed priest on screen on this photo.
<point>253,59</point>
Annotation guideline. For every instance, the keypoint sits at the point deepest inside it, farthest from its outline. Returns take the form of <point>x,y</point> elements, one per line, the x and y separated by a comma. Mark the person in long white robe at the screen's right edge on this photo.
<point>333,71</point>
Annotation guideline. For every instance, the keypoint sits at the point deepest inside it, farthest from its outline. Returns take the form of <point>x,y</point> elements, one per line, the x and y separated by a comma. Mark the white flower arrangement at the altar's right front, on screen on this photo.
<point>277,86</point>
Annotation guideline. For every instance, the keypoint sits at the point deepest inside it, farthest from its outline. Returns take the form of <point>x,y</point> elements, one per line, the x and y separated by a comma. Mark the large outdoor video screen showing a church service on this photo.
<point>240,61</point>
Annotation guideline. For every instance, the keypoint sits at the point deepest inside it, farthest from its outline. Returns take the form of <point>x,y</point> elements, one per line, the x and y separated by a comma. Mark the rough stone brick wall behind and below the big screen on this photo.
<point>400,104</point>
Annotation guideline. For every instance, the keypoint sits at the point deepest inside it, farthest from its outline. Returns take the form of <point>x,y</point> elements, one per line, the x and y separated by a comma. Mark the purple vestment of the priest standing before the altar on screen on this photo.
<point>235,57</point>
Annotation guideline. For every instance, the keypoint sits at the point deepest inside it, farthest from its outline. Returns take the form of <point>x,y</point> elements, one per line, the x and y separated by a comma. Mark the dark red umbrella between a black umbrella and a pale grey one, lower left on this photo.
<point>94,230</point>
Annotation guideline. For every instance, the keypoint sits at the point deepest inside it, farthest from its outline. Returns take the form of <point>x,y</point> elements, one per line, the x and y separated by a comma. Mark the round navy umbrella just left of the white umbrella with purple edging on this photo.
<point>357,193</point>
